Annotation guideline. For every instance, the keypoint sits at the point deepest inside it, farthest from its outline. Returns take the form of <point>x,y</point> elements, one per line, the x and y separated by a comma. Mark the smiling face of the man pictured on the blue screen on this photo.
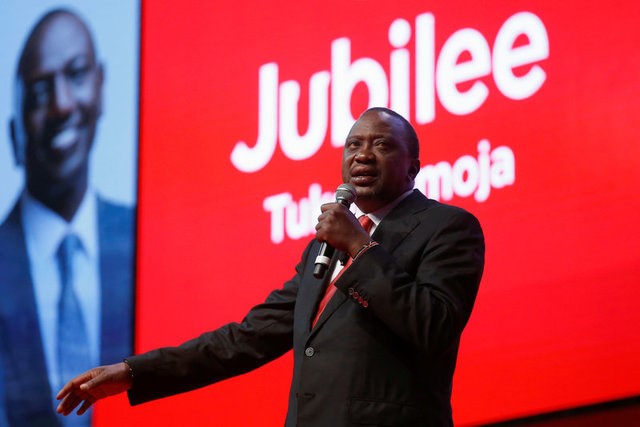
<point>60,102</point>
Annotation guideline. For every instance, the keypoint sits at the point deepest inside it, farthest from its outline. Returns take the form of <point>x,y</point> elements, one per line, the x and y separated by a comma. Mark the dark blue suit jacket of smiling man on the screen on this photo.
<point>25,384</point>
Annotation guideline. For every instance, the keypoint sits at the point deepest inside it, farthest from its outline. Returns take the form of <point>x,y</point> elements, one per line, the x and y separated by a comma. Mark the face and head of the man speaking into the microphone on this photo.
<point>376,160</point>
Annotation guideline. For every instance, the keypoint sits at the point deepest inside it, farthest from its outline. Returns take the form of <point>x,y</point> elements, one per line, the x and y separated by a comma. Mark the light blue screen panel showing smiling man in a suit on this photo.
<point>68,174</point>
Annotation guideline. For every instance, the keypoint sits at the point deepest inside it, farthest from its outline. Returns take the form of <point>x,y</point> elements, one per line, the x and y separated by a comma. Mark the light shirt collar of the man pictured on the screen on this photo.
<point>45,229</point>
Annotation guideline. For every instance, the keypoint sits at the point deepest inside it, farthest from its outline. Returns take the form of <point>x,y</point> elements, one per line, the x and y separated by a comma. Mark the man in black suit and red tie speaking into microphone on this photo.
<point>382,351</point>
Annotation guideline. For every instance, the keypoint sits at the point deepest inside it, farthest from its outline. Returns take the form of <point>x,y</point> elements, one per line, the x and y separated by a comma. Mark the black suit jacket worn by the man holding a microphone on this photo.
<point>384,349</point>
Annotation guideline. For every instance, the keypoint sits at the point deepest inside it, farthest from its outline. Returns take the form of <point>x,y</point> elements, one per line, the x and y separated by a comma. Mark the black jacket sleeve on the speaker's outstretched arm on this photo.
<point>263,335</point>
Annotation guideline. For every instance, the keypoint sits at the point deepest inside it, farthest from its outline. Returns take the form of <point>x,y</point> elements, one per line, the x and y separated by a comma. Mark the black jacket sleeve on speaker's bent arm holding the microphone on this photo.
<point>423,284</point>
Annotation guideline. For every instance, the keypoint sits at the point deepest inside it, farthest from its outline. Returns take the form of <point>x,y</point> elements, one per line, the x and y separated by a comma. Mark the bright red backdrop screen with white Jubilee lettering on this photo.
<point>528,117</point>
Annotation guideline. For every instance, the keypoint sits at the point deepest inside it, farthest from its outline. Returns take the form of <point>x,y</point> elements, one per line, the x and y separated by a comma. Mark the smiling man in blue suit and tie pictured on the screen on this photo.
<point>66,254</point>
